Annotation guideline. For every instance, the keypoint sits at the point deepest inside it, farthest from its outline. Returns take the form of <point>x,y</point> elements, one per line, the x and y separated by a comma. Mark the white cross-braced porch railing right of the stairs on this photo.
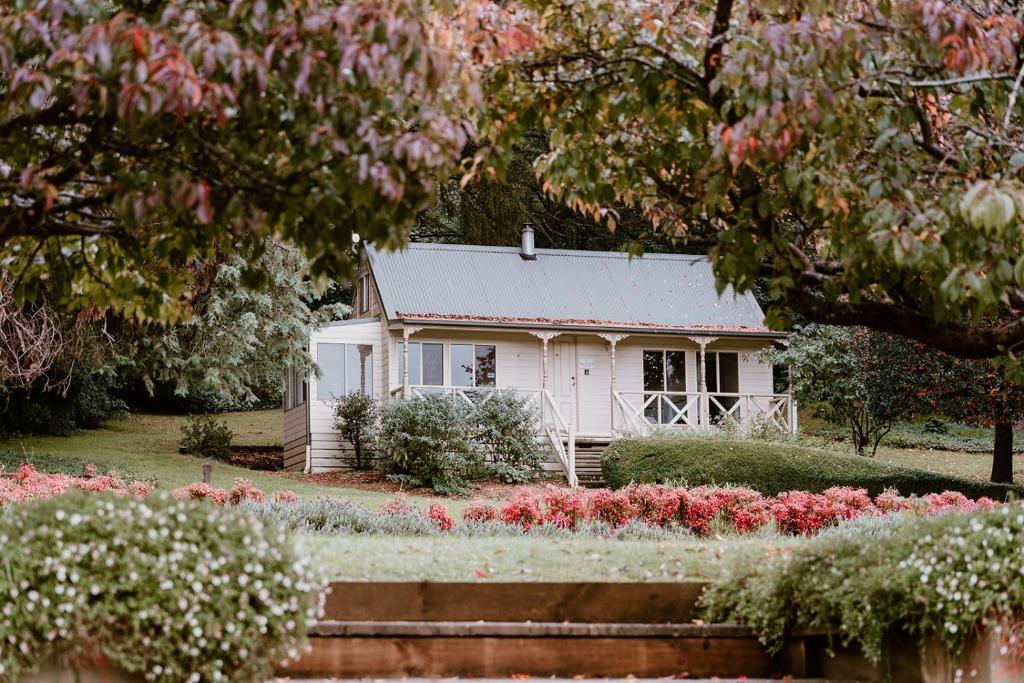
<point>646,412</point>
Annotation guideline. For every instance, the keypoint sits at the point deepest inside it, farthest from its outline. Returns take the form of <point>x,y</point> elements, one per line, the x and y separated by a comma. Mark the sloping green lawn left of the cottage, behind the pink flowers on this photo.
<point>148,446</point>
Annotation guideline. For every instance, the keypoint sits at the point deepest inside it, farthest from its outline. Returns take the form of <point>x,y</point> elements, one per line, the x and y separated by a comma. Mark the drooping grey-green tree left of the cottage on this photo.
<point>239,340</point>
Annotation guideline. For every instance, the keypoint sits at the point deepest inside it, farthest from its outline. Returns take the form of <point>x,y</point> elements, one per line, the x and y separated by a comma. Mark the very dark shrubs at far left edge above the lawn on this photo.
<point>89,403</point>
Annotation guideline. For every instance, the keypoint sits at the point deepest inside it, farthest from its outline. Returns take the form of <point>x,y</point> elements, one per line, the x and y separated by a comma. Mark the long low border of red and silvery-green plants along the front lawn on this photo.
<point>643,511</point>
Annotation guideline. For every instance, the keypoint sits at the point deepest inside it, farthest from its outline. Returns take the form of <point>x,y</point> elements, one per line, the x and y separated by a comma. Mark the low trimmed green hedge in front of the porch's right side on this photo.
<point>773,468</point>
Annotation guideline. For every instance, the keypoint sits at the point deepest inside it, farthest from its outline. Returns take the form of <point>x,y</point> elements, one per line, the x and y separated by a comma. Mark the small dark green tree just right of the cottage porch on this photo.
<point>848,377</point>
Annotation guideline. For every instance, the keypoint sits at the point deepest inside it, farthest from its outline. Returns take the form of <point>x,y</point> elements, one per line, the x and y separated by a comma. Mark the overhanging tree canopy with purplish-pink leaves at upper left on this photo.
<point>137,138</point>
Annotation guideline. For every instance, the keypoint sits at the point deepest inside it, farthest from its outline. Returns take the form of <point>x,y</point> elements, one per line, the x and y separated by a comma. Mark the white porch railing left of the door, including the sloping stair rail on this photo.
<point>551,423</point>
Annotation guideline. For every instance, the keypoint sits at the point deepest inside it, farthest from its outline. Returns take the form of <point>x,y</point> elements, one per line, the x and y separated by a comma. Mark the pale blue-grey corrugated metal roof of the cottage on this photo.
<point>571,288</point>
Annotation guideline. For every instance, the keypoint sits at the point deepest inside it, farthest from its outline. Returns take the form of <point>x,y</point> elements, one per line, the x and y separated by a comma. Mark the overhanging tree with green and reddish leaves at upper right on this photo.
<point>865,158</point>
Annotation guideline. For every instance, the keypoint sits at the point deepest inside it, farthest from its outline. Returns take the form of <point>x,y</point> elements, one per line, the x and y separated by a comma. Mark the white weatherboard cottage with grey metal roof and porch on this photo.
<point>605,345</point>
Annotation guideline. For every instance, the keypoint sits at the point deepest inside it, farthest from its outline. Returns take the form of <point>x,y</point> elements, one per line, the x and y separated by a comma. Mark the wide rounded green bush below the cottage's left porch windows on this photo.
<point>429,442</point>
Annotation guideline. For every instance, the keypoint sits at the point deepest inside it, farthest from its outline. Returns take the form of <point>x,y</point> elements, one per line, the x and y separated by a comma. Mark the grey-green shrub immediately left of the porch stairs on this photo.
<point>506,424</point>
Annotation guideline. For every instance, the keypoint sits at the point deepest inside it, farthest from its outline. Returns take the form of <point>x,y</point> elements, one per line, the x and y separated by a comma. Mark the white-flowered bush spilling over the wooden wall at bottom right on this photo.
<point>942,577</point>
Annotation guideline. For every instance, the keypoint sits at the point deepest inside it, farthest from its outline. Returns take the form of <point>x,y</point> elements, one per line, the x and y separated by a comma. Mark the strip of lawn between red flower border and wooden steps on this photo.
<point>528,559</point>
